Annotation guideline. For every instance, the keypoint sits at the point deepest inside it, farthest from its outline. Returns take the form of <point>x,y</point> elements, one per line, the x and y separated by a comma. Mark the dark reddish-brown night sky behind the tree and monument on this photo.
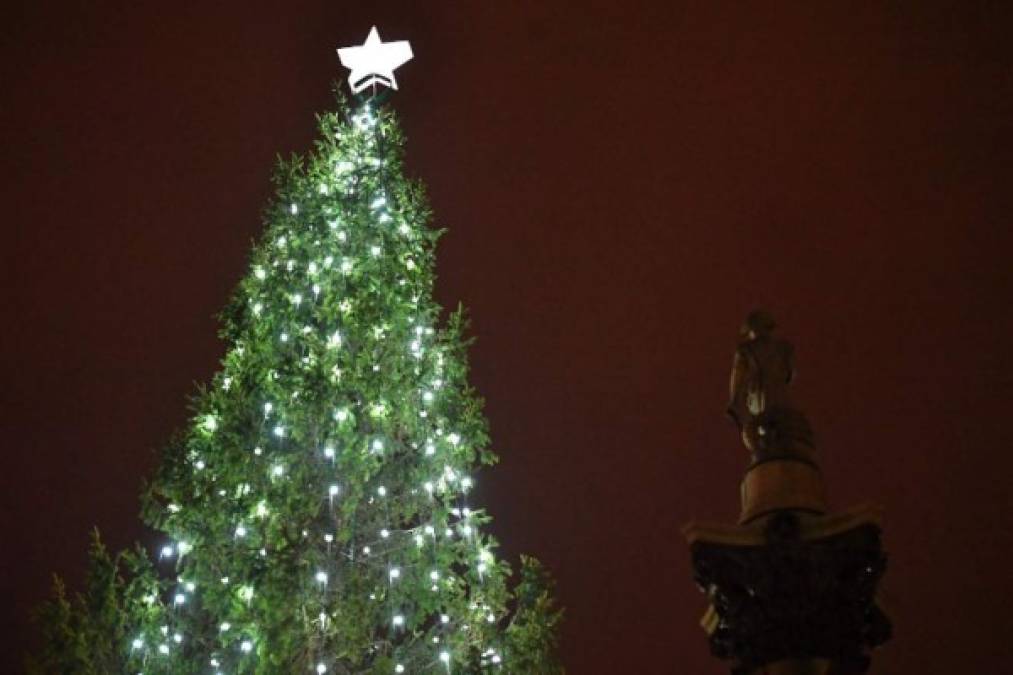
<point>622,182</point>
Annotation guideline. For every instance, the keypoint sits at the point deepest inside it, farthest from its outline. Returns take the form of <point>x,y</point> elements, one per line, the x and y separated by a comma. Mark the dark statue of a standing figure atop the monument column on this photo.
<point>760,403</point>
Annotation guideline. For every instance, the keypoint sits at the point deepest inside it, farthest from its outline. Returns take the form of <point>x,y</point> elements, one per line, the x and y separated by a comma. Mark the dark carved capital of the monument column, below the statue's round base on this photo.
<point>793,593</point>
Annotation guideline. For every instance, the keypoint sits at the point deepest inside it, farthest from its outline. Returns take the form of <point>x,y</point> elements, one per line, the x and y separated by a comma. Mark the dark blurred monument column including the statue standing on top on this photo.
<point>793,586</point>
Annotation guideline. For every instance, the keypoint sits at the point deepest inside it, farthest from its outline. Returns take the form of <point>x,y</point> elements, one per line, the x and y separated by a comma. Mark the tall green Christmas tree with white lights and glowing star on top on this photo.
<point>317,510</point>
